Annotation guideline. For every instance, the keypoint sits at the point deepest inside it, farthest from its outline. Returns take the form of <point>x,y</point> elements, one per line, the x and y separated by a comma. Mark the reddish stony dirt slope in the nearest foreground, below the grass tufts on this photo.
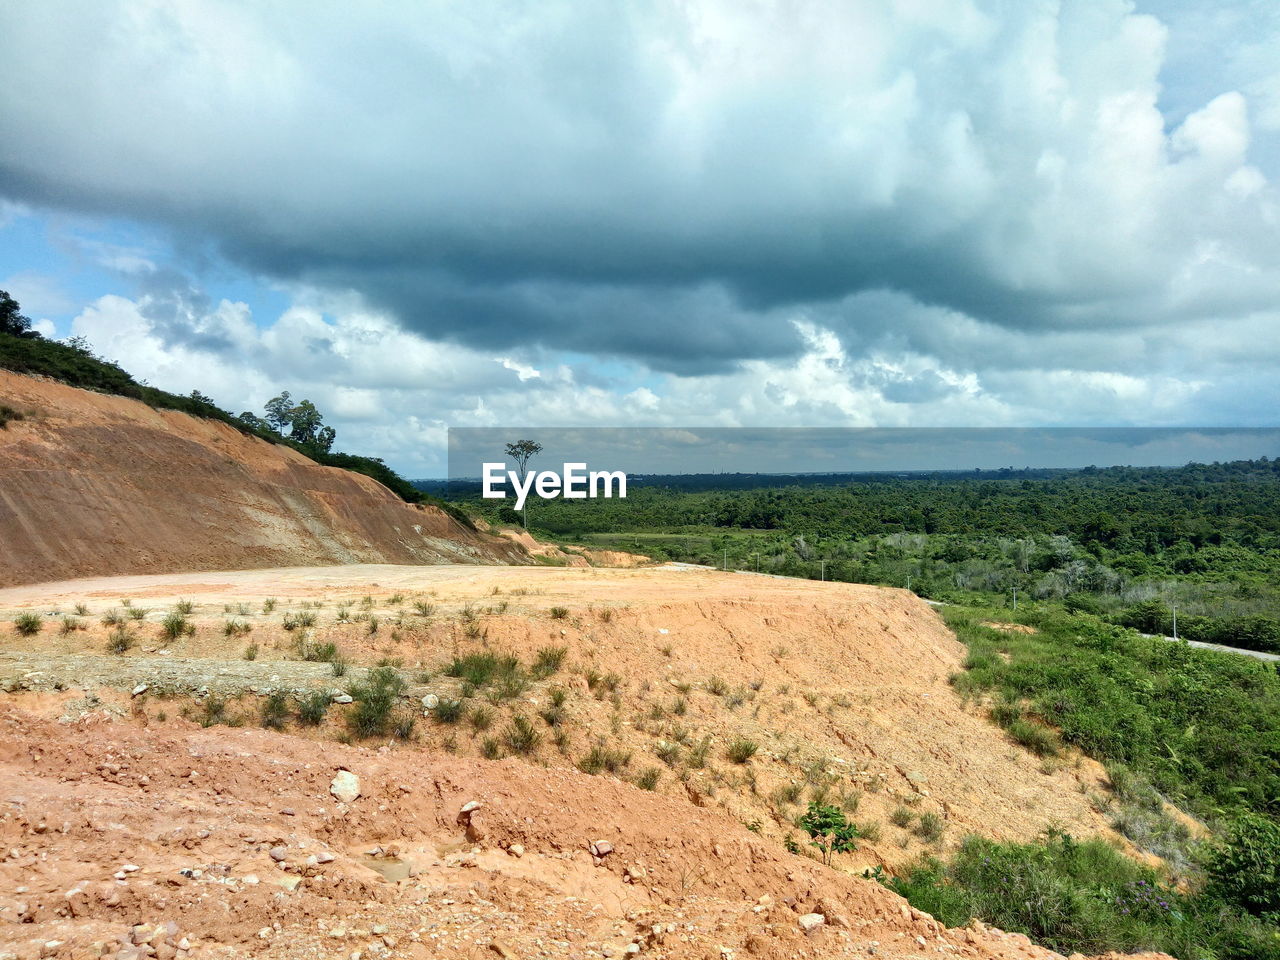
<point>171,842</point>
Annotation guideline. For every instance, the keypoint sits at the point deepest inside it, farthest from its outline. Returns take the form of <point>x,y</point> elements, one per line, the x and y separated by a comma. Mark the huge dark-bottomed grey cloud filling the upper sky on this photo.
<point>678,186</point>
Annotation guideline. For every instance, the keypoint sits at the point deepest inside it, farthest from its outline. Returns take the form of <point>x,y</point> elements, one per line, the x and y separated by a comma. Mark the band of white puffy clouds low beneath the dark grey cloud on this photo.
<point>392,394</point>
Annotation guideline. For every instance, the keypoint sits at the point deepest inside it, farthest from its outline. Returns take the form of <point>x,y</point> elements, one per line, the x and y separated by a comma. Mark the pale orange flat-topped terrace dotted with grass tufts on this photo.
<point>733,692</point>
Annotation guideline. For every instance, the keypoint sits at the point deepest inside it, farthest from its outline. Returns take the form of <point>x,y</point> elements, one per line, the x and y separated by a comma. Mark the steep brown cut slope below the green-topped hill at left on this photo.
<point>94,484</point>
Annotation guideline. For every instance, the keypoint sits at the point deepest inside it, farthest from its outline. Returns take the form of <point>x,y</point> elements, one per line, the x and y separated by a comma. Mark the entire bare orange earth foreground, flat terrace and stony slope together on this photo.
<point>239,843</point>
